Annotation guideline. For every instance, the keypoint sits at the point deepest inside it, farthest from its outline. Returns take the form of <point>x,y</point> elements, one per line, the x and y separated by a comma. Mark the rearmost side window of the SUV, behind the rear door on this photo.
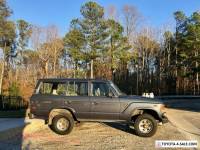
<point>53,88</point>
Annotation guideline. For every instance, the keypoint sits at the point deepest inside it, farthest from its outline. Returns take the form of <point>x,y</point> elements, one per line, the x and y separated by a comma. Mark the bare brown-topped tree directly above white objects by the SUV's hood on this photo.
<point>147,49</point>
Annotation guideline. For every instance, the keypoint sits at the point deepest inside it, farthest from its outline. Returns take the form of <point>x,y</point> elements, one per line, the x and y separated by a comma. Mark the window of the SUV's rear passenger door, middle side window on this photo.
<point>77,89</point>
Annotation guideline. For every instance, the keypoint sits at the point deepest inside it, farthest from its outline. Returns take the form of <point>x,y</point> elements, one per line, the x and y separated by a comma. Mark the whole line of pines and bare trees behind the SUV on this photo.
<point>103,43</point>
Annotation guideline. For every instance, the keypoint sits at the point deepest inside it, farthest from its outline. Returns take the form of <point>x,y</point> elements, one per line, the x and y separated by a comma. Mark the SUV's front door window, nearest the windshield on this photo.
<point>100,89</point>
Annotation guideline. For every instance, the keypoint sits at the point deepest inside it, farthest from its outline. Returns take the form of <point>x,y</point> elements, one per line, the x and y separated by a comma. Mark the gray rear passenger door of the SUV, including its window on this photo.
<point>77,98</point>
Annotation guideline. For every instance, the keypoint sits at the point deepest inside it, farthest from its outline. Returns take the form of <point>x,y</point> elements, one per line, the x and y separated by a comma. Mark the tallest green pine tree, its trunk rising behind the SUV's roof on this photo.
<point>93,28</point>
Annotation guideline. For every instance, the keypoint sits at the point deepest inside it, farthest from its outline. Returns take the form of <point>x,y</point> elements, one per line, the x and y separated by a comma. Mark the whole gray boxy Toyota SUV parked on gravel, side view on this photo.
<point>62,102</point>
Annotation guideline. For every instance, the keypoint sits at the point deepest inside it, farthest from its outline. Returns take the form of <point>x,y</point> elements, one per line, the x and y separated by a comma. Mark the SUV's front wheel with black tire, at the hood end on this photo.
<point>142,130</point>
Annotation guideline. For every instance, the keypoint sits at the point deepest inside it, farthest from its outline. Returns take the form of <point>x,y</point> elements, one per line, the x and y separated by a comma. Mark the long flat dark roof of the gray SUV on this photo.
<point>70,79</point>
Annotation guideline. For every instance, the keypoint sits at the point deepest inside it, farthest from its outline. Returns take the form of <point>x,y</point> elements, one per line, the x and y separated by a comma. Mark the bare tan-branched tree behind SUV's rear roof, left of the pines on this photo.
<point>49,46</point>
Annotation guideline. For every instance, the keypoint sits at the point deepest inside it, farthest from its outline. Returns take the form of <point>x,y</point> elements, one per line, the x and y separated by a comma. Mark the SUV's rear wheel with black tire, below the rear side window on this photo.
<point>67,129</point>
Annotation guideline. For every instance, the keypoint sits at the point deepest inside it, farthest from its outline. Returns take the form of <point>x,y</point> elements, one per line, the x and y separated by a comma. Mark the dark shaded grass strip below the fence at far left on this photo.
<point>13,113</point>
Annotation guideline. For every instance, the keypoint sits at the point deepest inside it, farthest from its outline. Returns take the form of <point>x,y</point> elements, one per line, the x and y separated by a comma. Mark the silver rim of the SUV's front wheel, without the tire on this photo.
<point>145,126</point>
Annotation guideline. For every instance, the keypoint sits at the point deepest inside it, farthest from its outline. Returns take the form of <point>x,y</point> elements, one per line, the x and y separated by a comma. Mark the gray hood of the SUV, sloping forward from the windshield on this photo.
<point>141,99</point>
